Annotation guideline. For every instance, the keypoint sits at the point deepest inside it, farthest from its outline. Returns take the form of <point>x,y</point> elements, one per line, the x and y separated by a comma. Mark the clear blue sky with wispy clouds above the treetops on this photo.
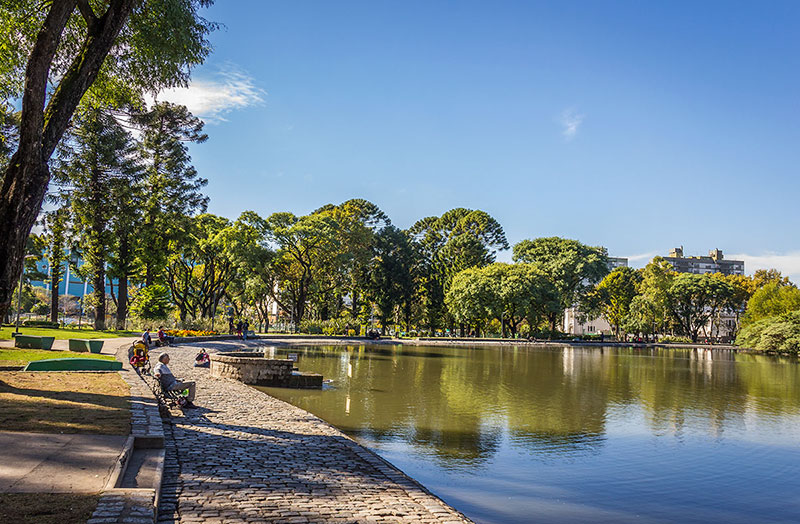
<point>634,125</point>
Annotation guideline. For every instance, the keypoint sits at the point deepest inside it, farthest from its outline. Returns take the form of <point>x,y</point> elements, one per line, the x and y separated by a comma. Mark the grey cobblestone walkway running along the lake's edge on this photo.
<point>244,456</point>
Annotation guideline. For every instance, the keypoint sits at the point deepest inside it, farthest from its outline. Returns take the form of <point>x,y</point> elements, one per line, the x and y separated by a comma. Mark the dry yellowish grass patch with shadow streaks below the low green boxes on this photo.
<point>64,402</point>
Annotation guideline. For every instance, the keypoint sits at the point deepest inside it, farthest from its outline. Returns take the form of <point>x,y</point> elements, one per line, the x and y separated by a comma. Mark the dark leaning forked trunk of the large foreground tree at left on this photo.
<point>26,178</point>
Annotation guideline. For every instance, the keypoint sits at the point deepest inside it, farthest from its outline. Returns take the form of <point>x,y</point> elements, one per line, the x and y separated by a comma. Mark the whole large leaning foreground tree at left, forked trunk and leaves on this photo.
<point>53,52</point>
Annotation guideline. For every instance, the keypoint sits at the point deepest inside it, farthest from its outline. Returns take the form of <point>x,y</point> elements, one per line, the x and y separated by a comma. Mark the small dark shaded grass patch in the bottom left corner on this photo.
<point>47,508</point>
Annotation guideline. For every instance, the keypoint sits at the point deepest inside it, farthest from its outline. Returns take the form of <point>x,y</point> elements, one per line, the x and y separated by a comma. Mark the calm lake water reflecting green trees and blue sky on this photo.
<point>573,435</point>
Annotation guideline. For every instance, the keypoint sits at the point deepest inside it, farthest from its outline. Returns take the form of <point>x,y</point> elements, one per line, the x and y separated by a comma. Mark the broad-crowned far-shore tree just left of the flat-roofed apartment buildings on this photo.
<point>573,268</point>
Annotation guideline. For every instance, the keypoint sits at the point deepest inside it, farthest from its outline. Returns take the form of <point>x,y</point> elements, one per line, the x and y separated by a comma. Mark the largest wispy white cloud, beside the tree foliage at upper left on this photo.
<point>210,99</point>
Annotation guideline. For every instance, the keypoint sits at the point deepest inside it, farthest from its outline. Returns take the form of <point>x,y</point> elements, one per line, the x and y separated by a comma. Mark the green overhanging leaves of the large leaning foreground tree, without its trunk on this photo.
<point>161,41</point>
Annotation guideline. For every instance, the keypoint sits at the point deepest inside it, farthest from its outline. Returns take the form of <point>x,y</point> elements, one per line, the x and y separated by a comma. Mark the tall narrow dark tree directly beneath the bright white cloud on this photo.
<point>172,185</point>
